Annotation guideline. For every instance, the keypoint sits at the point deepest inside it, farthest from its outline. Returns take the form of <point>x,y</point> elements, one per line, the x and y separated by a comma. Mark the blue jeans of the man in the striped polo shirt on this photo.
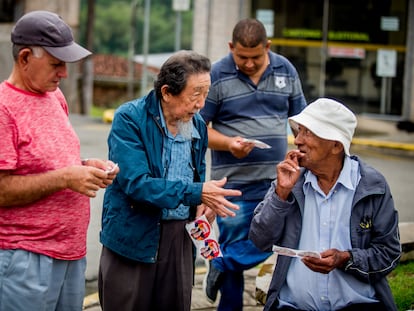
<point>239,254</point>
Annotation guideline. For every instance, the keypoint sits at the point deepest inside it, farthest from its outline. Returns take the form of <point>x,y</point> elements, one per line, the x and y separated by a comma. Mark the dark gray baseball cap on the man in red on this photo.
<point>48,30</point>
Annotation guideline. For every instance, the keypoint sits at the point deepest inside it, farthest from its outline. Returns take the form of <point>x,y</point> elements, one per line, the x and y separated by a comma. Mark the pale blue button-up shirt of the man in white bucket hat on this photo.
<point>326,222</point>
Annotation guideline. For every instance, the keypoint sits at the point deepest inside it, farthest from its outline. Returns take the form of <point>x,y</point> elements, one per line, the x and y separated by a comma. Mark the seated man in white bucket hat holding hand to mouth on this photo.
<point>336,206</point>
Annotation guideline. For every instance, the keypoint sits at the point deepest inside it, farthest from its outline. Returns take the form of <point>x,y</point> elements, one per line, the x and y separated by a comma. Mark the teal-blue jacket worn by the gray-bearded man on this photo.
<point>133,203</point>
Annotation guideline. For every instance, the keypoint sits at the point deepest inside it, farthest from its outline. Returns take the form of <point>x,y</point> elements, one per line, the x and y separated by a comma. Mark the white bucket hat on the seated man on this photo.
<point>327,119</point>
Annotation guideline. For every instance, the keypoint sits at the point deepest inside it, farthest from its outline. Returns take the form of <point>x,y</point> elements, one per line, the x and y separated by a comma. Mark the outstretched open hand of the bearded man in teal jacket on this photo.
<point>213,195</point>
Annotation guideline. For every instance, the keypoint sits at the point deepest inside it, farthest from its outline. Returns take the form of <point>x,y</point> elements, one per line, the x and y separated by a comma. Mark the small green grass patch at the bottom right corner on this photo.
<point>401,281</point>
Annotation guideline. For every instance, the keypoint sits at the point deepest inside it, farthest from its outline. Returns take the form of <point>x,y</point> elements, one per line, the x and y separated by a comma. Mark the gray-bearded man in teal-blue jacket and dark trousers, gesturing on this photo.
<point>159,142</point>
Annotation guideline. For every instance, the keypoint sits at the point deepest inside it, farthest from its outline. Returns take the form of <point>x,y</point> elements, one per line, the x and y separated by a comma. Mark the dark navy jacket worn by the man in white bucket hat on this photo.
<point>376,247</point>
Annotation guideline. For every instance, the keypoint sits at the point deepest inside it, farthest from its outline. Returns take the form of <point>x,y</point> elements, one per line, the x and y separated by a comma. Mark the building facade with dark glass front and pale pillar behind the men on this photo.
<point>357,51</point>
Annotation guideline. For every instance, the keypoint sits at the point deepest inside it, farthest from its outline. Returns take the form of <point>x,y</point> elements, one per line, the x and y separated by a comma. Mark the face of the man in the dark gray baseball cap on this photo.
<point>43,73</point>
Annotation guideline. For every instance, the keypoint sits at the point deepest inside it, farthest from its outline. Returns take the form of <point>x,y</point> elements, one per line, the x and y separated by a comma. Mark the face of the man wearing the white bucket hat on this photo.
<point>315,150</point>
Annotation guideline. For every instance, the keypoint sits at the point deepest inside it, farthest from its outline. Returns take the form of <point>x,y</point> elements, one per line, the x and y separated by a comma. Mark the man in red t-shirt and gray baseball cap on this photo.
<point>44,186</point>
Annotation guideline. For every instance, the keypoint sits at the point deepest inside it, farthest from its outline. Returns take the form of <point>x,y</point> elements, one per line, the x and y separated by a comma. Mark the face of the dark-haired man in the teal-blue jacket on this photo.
<point>185,105</point>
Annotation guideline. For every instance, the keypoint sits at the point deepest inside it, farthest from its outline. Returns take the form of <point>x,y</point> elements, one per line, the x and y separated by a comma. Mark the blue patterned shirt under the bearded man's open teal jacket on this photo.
<point>177,162</point>
